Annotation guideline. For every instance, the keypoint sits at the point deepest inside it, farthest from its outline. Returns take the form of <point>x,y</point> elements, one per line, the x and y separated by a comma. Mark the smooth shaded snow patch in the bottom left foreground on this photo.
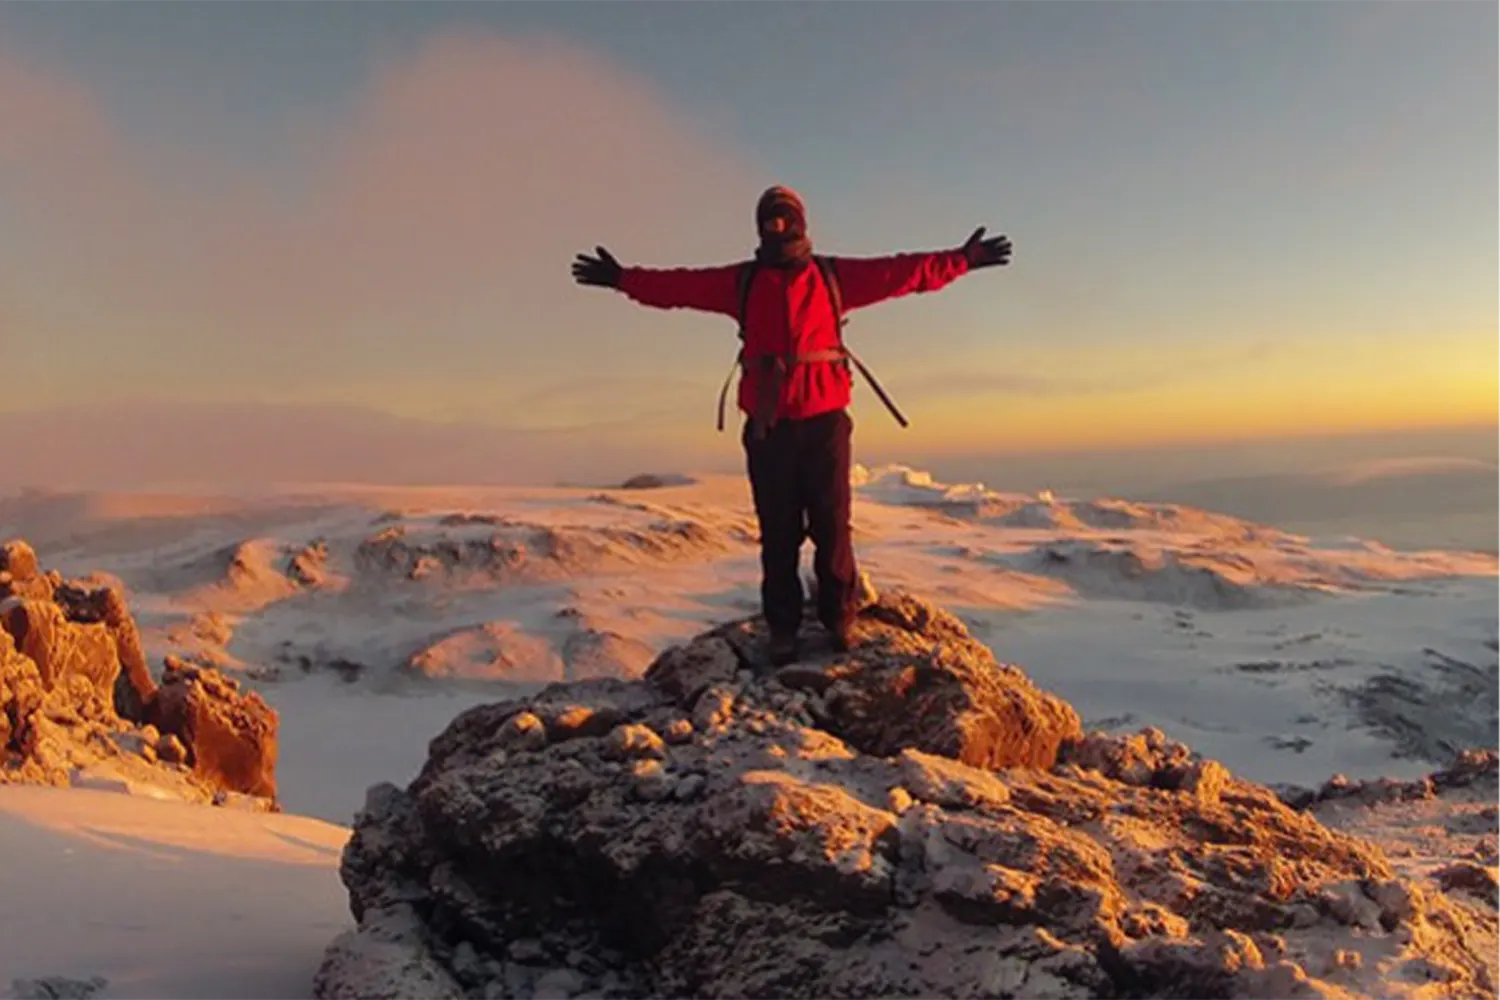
<point>164,900</point>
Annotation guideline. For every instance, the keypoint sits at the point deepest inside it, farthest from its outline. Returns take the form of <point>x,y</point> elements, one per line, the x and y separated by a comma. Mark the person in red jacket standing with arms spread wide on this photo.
<point>796,388</point>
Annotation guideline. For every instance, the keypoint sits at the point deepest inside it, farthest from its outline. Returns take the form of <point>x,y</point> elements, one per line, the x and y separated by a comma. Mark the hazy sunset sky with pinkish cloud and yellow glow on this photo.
<point>289,241</point>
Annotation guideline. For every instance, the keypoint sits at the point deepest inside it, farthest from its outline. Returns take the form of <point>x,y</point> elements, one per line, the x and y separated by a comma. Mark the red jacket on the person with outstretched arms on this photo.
<point>790,313</point>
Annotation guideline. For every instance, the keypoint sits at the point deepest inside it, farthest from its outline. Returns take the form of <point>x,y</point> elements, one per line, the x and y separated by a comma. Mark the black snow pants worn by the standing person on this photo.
<point>800,482</point>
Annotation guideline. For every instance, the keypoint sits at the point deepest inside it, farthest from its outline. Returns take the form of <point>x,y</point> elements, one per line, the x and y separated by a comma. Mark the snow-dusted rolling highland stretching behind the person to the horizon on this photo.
<point>335,602</point>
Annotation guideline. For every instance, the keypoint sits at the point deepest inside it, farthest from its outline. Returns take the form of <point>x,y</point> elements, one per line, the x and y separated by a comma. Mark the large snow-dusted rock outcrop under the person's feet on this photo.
<point>907,821</point>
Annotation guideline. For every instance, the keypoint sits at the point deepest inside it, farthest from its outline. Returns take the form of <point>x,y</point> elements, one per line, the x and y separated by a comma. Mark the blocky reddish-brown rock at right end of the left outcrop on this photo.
<point>230,735</point>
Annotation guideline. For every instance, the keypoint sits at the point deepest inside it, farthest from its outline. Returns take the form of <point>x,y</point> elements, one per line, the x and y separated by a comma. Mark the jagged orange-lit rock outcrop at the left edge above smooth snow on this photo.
<point>79,704</point>
